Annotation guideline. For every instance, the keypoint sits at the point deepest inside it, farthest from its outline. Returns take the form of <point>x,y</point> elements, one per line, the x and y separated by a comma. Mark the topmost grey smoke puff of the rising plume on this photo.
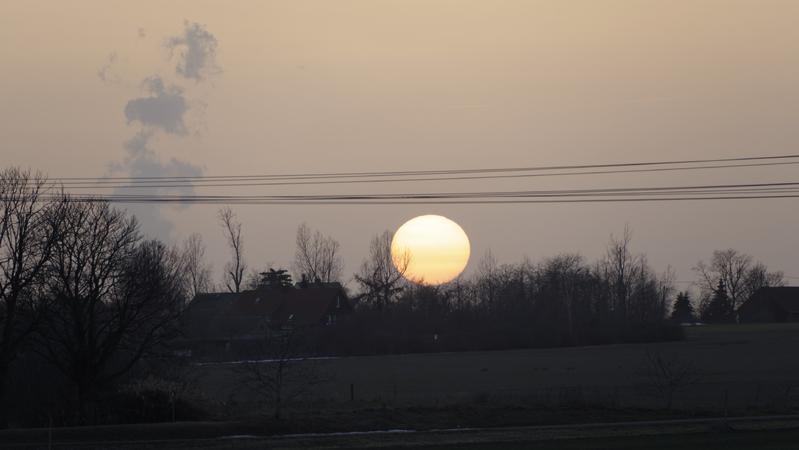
<point>196,51</point>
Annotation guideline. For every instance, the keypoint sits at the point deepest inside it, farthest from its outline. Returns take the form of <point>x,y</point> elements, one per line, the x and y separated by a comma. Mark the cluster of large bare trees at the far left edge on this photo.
<point>81,290</point>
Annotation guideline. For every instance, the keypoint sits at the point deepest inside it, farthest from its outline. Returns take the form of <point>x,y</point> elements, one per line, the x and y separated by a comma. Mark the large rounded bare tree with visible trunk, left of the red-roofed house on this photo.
<point>115,298</point>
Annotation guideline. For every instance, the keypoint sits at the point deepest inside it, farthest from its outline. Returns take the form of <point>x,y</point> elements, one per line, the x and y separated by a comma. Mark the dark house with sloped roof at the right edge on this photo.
<point>771,304</point>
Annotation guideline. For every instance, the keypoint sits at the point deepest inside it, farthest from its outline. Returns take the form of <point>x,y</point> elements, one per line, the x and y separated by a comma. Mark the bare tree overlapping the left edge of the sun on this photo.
<point>381,275</point>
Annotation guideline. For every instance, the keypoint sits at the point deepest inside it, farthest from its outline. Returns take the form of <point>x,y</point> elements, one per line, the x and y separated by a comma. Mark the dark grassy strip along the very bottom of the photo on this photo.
<point>735,433</point>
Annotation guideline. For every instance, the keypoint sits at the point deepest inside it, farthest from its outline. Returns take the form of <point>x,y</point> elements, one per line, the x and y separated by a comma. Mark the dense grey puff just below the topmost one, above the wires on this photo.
<point>163,109</point>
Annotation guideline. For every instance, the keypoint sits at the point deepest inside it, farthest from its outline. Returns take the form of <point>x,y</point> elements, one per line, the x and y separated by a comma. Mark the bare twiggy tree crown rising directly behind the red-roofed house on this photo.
<point>317,256</point>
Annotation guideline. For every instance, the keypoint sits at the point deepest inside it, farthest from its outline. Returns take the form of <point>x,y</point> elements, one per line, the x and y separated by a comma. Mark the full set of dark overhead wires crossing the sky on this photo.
<point>737,191</point>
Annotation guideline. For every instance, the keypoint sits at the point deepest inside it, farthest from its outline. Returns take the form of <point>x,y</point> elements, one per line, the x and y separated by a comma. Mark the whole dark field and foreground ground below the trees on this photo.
<point>519,399</point>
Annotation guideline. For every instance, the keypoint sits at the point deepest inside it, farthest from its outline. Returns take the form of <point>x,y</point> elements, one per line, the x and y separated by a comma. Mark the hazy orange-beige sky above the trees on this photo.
<point>95,88</point>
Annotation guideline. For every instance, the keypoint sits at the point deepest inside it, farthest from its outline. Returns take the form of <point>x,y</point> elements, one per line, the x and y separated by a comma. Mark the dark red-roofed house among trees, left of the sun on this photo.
<point>234,326</point>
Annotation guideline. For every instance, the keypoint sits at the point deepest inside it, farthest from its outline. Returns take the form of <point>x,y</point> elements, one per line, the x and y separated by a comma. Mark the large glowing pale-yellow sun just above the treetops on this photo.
<point>430,249</point>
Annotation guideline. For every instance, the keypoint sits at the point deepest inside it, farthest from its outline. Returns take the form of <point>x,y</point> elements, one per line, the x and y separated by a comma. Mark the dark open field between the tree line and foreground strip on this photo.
<point>737,367</point>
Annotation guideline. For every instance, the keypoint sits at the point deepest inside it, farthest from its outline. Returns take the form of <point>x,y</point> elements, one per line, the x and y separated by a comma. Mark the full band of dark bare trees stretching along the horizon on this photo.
<point>87,301</point>
